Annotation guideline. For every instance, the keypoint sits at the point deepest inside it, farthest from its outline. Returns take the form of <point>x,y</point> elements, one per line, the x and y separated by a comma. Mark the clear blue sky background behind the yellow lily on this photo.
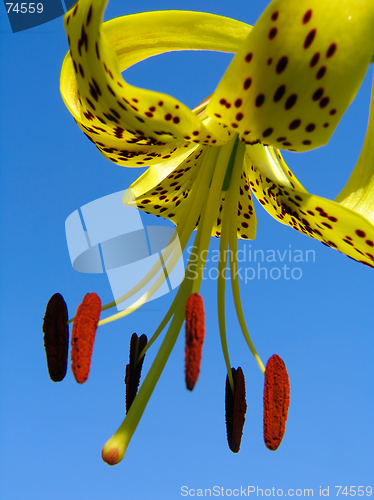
<point>51,435</point>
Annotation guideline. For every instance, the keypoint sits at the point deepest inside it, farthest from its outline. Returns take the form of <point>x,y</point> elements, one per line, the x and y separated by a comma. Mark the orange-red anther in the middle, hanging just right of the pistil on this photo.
<point>195,332</point>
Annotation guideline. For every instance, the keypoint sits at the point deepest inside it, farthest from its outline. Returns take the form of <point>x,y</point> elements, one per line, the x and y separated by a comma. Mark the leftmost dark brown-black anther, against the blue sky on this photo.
<point>56,337</point>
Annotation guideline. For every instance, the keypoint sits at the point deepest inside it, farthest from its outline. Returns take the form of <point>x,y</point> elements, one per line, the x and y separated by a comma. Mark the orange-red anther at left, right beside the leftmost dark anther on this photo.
<point>83,336</point>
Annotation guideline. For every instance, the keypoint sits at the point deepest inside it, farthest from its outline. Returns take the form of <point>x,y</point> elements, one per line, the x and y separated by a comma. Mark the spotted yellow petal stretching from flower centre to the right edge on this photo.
<point>285,199</point>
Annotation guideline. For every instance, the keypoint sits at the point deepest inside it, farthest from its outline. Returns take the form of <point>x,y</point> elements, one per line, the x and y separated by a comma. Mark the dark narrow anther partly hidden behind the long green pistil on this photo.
<point>134,368</point>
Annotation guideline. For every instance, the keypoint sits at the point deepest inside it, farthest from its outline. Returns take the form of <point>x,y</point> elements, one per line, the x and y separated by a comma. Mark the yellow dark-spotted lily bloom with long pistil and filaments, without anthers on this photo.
<point>293,76</point>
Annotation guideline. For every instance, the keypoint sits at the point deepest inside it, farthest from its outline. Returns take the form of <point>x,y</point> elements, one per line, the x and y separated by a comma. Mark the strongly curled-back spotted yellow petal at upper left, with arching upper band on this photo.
<point>133,126</point>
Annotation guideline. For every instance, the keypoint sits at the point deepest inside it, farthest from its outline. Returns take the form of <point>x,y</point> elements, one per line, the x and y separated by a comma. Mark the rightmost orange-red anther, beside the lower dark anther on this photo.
<point>276,402</point>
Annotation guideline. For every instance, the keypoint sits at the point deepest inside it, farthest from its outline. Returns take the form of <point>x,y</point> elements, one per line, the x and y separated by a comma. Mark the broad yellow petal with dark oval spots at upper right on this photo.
<point>297,72</point>
